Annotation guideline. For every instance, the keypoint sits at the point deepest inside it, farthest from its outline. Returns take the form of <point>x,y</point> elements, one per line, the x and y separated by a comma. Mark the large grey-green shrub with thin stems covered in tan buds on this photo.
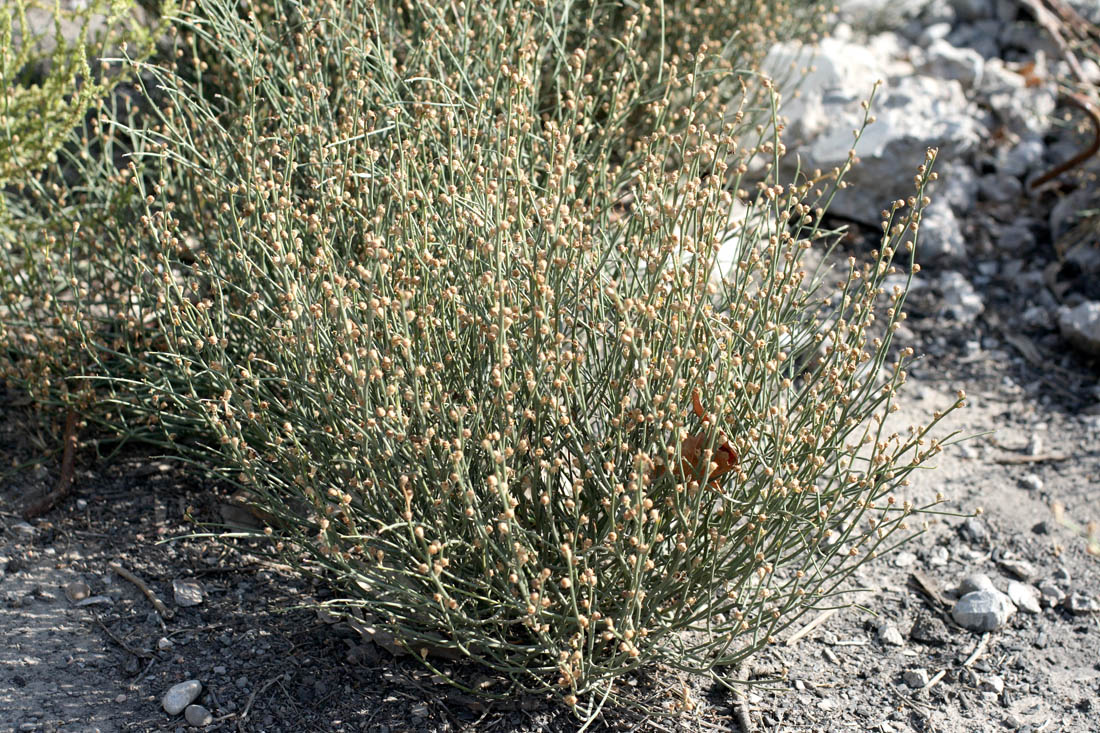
<point>483,311</point>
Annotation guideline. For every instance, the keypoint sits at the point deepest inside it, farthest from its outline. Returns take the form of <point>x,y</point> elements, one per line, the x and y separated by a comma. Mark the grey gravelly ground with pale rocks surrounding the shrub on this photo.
<point>983,623</point>
